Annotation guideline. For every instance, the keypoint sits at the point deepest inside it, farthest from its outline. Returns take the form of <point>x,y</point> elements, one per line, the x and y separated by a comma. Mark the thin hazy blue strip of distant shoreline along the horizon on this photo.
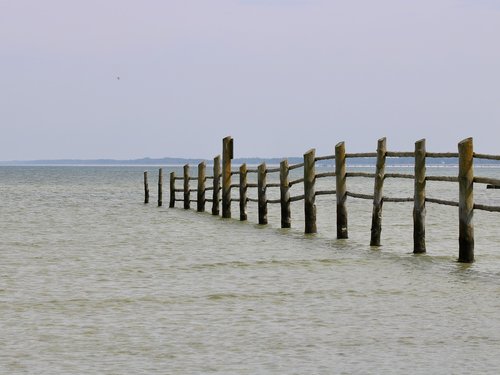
<point>249,161</point>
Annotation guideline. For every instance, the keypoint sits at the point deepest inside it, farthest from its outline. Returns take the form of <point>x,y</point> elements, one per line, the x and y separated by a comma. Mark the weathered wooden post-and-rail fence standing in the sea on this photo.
<point>465,179</point>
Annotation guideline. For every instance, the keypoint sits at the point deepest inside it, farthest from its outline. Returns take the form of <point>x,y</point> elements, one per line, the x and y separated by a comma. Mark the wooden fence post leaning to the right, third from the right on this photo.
<point>377,194</point>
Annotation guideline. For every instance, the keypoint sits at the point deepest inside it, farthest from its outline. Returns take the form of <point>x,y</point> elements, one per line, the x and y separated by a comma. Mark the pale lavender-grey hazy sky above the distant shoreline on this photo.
<point>124,79</point>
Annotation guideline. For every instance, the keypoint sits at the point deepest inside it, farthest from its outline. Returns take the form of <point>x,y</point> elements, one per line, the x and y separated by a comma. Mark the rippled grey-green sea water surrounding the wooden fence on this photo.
<point>93,281</point>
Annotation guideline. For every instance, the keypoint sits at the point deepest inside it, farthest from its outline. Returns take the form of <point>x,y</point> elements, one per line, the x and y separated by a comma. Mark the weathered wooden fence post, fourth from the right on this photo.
<point>341,190</point>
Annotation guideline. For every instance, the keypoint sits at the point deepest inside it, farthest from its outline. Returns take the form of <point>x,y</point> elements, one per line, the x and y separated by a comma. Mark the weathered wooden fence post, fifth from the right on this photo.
<point>309,191</point>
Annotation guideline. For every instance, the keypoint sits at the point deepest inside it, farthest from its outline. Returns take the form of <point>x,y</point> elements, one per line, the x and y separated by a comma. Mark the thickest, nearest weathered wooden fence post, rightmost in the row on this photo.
<point>466,201</point>
